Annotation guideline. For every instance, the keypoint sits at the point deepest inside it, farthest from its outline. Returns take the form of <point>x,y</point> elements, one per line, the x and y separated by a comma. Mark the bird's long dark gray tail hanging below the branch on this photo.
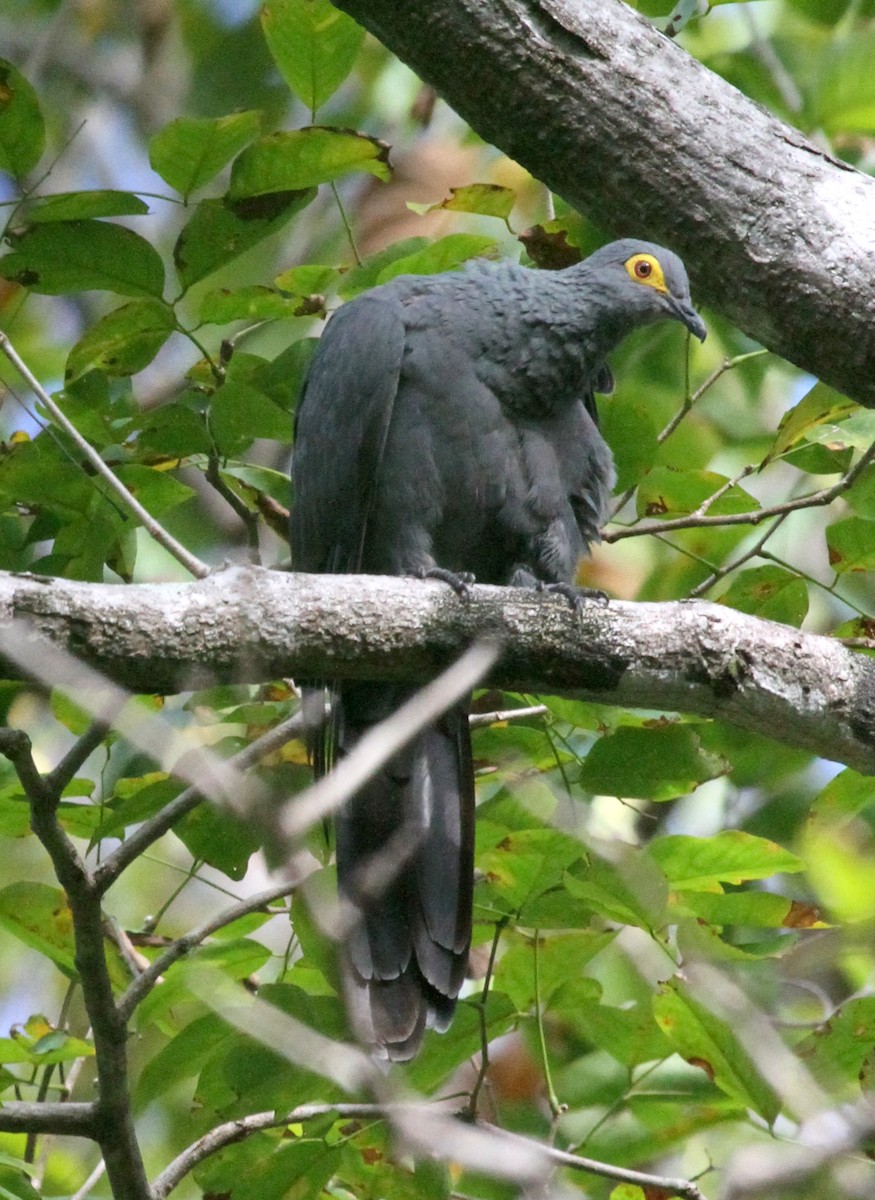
<point>405,871</point>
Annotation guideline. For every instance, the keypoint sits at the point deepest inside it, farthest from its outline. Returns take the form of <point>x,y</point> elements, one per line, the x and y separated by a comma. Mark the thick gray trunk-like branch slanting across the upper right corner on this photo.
<point>628,128</point>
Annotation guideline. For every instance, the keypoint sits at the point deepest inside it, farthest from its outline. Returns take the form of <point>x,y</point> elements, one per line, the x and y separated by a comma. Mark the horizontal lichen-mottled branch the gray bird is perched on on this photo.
<point>250,625</point>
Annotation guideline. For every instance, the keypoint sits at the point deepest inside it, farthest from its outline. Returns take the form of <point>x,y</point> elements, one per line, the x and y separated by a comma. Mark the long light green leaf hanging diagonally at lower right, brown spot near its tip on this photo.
<point>705,1041</point>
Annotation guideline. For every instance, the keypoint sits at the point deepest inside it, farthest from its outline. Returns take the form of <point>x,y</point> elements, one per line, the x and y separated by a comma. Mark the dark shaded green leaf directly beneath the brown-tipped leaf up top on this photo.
<point>223,230</point>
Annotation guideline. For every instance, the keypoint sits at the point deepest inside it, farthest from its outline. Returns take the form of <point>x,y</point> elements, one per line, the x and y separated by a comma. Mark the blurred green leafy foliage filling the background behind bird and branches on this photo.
<point>185,199</point>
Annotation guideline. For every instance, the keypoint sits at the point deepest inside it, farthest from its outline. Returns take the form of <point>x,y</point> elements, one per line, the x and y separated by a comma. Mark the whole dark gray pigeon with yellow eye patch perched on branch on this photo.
<point>448,422</point>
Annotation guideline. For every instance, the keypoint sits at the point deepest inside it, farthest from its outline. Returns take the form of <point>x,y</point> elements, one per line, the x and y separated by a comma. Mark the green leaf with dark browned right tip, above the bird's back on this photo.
<point>284,161</point>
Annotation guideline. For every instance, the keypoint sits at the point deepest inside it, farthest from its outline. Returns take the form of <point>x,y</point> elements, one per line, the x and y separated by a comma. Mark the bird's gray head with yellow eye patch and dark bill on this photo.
<point>648,281</point>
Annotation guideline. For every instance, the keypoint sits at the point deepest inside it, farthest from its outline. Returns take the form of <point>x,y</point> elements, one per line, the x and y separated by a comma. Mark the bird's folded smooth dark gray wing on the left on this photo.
<point>340,433</point>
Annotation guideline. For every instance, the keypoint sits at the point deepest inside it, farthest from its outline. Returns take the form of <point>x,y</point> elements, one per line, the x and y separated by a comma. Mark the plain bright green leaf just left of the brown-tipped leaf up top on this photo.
<point>191,151</point>
